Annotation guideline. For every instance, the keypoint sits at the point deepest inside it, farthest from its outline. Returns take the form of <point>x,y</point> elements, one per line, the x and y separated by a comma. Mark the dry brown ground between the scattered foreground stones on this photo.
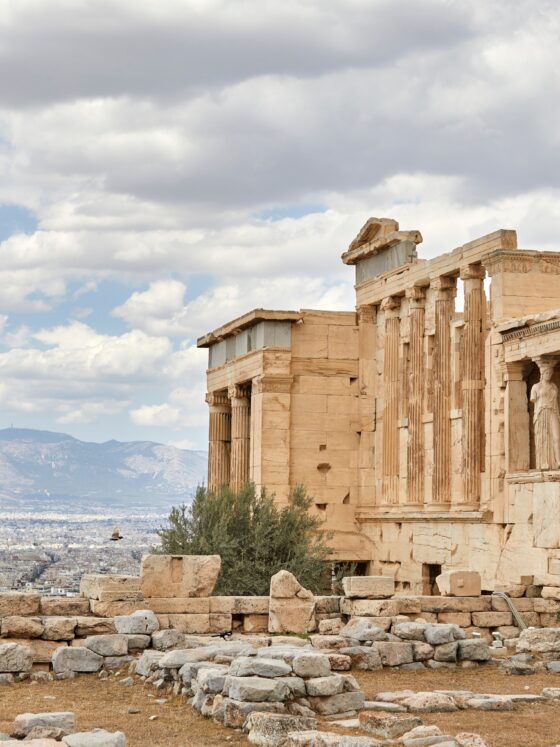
<point>105,704</point>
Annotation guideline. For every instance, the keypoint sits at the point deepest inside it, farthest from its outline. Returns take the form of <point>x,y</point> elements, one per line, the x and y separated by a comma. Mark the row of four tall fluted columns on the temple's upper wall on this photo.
<point>435,397</point>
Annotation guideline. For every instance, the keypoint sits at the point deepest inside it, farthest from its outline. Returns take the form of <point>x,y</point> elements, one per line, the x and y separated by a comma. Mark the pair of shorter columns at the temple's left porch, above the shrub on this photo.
<point>229,437</point>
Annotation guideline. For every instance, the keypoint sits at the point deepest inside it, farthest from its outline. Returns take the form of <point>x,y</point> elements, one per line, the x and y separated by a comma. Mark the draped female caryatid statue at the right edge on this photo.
<point>546,418</point>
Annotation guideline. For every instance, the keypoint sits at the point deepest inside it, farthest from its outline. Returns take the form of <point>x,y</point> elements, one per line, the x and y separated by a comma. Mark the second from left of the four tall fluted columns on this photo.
<point>415,445</point>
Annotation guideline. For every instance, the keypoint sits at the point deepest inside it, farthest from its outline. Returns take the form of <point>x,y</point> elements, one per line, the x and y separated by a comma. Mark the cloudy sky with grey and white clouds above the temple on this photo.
<point>166,166</point>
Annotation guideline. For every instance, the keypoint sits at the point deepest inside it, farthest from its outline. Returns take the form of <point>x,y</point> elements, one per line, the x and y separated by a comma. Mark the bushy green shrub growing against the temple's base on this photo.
<point>254,537</point>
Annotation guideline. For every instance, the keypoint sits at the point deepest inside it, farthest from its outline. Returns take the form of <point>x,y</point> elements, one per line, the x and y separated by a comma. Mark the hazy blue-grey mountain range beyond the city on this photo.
<point>46,467</point>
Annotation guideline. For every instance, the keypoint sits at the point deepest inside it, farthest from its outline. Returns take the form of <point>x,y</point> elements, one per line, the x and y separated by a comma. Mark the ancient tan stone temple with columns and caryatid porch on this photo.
<point>426,424</point>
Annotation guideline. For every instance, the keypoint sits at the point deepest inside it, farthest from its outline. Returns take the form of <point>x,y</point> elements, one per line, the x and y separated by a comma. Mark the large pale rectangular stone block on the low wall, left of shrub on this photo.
<point>179,576</point>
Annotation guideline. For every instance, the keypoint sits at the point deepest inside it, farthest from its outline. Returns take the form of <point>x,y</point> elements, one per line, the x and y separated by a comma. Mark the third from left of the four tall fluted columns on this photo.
<point>445,289</point>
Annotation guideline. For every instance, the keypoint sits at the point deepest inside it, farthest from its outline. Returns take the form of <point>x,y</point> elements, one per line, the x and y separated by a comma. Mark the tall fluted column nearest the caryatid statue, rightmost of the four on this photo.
<point>472,383</point>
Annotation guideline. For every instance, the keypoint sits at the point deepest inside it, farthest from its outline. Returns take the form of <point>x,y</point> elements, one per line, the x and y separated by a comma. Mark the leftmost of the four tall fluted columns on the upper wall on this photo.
<point>390,471</point>
